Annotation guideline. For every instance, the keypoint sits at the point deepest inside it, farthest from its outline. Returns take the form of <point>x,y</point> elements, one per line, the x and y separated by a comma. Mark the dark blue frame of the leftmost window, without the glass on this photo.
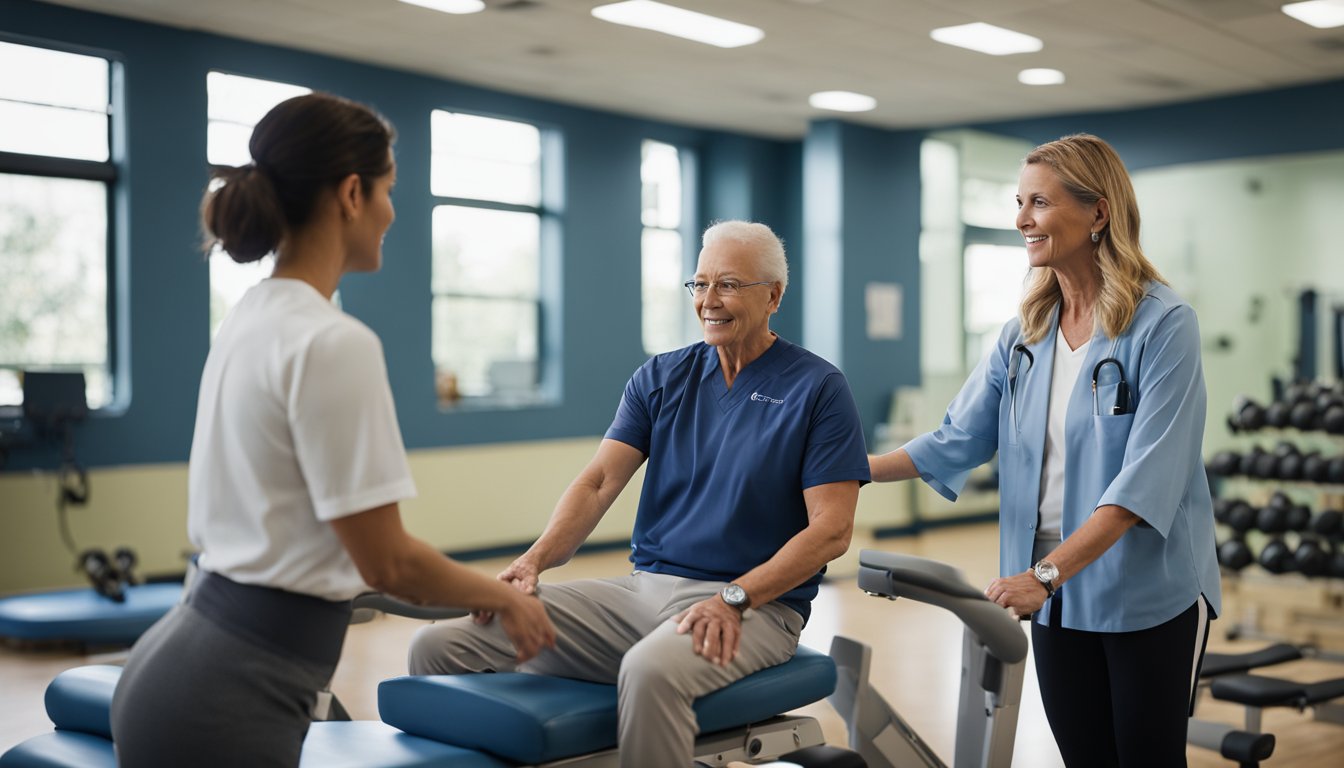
<point>111,174</point>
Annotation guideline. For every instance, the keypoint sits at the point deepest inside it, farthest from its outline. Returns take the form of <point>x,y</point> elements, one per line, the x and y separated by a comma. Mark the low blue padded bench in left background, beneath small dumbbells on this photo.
<point>83,615</point>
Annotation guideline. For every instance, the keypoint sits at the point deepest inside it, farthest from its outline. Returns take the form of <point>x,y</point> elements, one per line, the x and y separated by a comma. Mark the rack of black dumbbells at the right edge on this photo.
<point>1283,523</point>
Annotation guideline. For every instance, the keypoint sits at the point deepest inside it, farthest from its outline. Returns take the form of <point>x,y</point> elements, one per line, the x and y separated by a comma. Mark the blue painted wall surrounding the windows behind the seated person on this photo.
<point>592,282</point>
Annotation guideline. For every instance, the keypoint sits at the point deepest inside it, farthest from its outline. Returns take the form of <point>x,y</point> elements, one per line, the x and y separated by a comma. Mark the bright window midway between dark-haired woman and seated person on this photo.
<point>486,178</point>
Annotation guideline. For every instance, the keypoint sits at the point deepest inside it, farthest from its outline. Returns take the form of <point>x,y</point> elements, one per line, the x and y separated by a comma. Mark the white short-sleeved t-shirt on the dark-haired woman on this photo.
<point>295,428</point>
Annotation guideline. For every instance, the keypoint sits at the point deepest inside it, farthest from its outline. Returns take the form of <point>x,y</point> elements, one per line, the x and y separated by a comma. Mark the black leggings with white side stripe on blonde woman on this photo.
<point>1122,699</point>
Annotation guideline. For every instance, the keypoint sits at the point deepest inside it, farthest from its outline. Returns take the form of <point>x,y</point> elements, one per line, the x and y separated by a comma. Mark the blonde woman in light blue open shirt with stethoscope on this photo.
<point>1095,401</point>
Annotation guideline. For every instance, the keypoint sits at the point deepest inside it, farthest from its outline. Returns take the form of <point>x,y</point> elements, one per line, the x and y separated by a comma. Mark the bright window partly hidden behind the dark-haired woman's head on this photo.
<point>236,106</point>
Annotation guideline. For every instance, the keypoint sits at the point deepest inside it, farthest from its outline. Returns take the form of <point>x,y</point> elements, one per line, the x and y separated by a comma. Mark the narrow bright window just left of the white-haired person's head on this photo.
<point>669,321</point>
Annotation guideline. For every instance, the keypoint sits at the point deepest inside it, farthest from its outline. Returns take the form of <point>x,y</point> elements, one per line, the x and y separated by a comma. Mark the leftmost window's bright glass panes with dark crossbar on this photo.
<point>56,194</point>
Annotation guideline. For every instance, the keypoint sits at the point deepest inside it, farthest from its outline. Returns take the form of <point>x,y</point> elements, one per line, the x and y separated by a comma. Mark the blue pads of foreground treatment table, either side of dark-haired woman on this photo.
<point>523,719</point>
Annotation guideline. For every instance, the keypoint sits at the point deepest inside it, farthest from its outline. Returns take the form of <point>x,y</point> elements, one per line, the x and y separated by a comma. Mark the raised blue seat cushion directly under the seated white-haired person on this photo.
<point>536,719</point>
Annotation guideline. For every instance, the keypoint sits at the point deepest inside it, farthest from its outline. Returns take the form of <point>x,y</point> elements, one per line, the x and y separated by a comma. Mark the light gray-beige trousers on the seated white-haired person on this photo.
<point>622,631</point>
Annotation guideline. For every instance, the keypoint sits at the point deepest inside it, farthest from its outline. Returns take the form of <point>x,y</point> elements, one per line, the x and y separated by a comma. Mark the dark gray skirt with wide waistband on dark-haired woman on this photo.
<point>228,679</point>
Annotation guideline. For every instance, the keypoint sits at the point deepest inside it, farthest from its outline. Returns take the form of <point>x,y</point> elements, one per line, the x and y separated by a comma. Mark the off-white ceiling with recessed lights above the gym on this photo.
<point>1115,53</point>
